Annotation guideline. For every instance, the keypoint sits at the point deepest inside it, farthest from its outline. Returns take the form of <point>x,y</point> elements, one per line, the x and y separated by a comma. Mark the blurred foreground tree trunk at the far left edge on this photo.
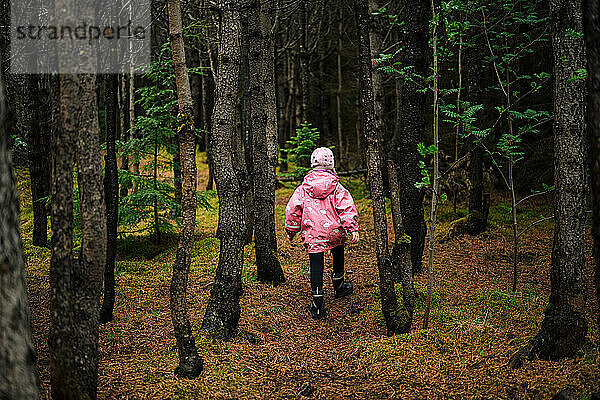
<point>17,354</point>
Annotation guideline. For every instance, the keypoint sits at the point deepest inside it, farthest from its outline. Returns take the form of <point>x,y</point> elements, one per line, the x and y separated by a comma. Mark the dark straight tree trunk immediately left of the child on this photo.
<point>263,130</point>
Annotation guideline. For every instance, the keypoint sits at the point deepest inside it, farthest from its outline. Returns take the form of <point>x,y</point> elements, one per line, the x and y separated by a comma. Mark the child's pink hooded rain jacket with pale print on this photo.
<point>322,210</point>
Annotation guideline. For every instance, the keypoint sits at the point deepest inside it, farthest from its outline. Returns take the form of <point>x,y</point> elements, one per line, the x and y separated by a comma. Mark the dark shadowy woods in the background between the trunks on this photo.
<point>316,54</point>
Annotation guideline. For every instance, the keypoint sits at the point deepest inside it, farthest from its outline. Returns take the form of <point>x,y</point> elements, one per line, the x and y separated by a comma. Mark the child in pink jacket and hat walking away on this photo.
<point>325,214</point>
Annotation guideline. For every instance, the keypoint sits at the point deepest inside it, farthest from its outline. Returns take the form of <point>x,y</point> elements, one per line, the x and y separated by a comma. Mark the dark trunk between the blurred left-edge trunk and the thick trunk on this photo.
<point>38,138</point>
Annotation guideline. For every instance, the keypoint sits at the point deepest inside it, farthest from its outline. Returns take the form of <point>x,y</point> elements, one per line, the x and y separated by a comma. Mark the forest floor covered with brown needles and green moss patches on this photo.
<point>477,322</point>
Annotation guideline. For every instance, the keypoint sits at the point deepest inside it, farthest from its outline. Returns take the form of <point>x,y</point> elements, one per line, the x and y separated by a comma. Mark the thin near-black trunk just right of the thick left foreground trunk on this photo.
<point>111,195</point>
